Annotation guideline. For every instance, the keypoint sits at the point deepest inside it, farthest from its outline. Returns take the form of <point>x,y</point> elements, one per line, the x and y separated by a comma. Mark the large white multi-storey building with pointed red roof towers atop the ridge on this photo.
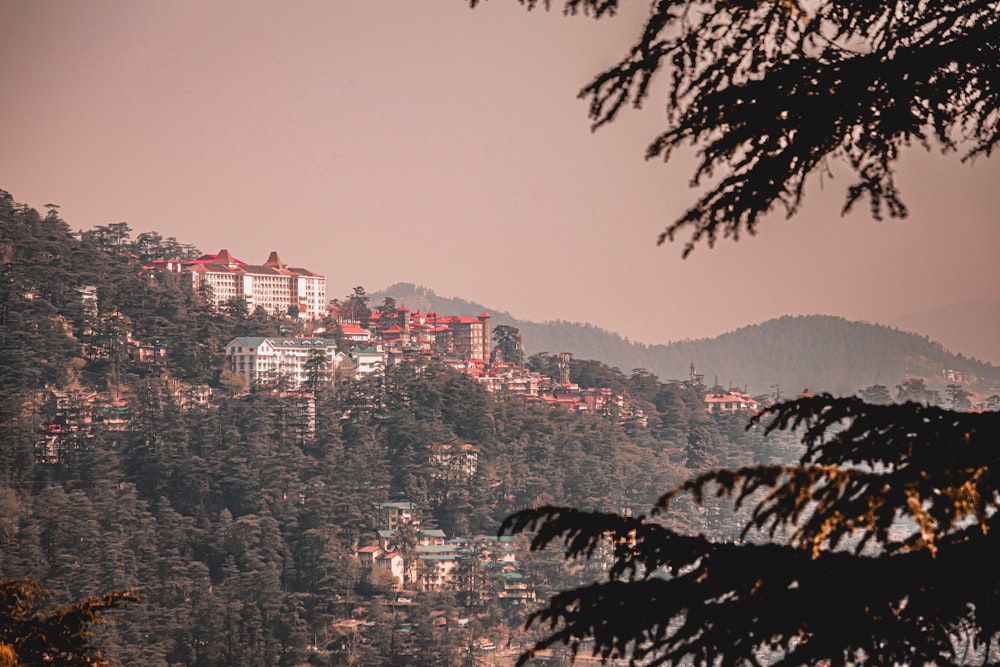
<point>277,288</point>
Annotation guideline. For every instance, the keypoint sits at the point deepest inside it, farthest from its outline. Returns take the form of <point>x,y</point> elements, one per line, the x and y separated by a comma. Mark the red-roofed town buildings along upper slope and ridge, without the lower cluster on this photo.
<point>330,341</point>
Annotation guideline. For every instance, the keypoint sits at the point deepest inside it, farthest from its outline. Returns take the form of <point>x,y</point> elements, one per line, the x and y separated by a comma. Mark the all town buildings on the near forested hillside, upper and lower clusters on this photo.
<point>329,343</point>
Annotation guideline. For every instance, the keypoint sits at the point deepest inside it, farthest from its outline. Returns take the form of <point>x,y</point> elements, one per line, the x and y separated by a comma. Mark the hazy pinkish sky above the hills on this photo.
<point>379,141</point>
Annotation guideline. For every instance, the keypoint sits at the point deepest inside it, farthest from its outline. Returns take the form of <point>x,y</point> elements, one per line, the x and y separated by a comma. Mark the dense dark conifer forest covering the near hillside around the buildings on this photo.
<point>239,527</point>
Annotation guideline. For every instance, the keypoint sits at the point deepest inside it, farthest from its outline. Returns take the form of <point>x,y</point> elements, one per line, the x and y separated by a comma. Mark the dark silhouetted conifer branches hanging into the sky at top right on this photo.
<point>772,91</point>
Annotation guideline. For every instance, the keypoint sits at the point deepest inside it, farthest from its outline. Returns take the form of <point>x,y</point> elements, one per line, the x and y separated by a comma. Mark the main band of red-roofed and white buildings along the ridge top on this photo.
<point>370,341</point>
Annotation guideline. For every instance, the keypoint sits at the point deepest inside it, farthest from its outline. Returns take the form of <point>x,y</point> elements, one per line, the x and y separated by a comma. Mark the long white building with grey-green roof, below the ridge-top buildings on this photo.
<point>268,361</point>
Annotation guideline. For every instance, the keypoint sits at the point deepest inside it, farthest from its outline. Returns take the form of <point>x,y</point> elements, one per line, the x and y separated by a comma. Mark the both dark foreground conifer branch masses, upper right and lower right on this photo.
<point>877,542</point>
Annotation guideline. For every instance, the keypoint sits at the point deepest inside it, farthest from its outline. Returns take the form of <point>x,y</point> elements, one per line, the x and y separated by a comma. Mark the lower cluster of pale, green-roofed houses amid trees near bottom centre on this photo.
<point>405,555</point>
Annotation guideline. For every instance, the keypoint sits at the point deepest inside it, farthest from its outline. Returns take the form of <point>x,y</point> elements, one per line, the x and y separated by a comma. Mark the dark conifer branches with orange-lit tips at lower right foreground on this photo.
<point>877,542</point>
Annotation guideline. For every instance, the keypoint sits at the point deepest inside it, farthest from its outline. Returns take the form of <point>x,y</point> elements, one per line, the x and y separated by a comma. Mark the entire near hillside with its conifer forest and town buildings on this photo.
<point>353,461</point>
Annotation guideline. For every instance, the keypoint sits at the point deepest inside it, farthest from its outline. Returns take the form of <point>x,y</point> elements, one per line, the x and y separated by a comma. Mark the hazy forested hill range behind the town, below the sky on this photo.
<point>818,352</point>
